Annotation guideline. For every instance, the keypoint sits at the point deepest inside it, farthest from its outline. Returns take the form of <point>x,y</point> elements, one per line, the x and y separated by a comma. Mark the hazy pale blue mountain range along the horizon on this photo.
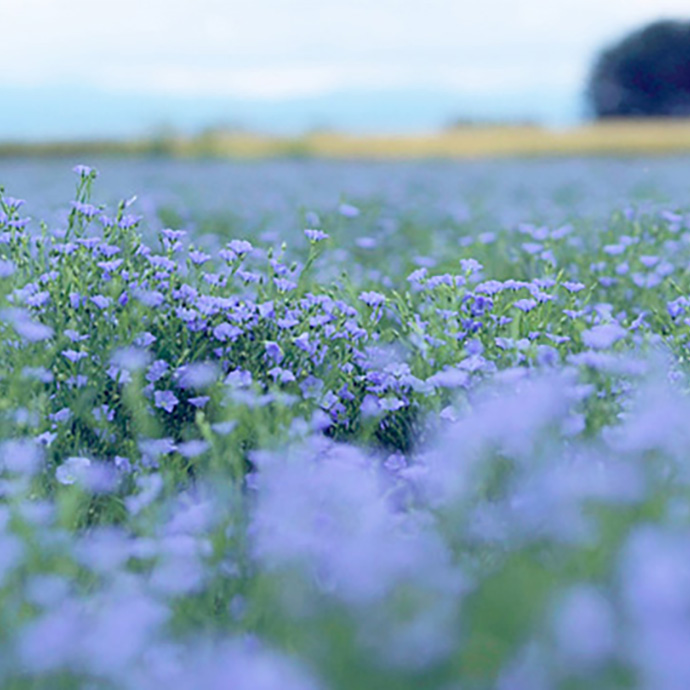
<point>69,113</point>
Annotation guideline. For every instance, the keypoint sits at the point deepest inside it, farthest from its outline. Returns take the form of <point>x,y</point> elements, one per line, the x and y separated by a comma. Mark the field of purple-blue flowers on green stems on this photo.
<point>317,425</point>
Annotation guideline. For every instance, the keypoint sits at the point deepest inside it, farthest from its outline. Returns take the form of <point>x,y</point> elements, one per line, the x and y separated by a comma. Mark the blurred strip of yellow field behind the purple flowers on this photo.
<point>614,138</point>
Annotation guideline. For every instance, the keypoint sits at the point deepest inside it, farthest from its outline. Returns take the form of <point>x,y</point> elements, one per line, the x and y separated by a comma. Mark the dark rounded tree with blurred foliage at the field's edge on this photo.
<point>647,74</point>
